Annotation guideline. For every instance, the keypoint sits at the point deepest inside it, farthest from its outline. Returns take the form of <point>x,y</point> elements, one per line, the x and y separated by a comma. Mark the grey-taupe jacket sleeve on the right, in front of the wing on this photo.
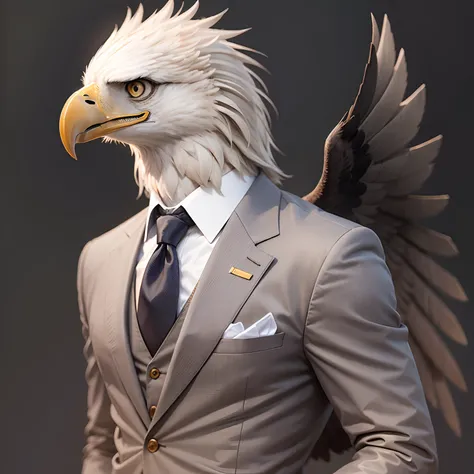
<point>358,347</point>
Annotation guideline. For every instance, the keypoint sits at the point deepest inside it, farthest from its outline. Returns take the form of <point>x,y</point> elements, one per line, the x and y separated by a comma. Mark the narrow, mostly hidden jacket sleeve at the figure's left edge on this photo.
<point>99,448</point>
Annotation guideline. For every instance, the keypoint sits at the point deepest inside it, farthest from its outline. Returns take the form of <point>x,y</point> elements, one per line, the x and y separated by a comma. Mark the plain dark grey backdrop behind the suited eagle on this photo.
<point>52,205</point>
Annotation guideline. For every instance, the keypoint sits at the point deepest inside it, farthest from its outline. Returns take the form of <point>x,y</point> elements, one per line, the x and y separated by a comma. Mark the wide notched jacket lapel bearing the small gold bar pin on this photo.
<point>220,295</point>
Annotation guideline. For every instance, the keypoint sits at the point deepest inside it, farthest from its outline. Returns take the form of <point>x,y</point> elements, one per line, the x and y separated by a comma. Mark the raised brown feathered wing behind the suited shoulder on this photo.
<point>370,174</point>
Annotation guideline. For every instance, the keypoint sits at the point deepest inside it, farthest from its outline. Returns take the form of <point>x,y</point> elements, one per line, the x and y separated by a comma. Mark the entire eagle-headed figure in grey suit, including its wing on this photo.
<point>329,367</point>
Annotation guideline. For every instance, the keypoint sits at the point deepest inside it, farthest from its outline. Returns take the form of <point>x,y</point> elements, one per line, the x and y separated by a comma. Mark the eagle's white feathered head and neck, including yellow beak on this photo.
<point>182,96</point>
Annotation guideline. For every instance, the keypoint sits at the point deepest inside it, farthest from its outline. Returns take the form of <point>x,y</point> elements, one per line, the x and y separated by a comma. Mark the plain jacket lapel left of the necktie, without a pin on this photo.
<point>121,270</point>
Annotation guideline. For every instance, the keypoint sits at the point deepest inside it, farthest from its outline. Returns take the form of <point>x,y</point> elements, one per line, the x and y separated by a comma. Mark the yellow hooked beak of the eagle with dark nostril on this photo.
<point>83,119</point>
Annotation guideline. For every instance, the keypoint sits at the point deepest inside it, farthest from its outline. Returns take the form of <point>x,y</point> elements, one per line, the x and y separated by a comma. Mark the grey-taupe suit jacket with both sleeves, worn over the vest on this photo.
<point>258,405</point>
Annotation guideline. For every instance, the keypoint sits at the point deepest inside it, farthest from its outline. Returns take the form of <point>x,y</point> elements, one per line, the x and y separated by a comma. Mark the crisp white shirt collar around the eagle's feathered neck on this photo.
<point>208,208</point>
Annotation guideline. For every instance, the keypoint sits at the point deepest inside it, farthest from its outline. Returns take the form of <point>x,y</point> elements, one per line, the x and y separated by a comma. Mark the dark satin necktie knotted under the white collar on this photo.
<point>158,300</point>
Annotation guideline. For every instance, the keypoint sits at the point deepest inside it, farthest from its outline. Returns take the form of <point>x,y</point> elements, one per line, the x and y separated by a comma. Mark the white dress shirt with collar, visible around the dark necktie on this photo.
<point>210,211</point>
